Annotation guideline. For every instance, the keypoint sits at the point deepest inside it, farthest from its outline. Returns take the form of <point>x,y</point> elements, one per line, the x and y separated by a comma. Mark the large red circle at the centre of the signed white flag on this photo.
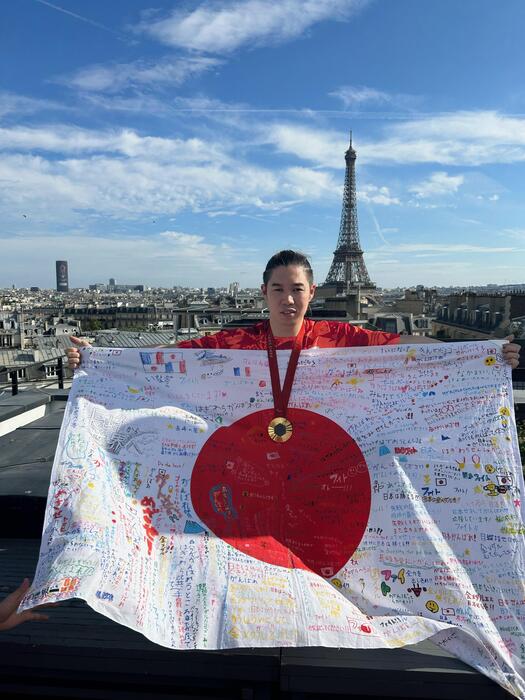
<point>301,504</point>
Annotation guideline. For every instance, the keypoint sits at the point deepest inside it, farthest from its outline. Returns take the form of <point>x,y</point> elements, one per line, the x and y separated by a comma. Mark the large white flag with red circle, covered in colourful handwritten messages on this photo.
<point>392,514</point>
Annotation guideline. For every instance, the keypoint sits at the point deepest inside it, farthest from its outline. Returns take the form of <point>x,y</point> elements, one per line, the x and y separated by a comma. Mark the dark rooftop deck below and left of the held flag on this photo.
<point>79,653</point>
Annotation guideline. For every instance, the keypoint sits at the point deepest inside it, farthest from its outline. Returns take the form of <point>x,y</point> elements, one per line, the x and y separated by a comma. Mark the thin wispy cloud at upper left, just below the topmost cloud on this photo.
<point>114,78</point>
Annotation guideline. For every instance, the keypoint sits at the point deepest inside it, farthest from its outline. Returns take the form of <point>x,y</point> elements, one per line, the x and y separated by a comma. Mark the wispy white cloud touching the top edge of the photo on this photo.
<point>222,27</point>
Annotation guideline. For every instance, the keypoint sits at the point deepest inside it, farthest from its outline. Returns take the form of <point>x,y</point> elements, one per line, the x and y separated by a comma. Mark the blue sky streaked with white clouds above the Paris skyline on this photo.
<point>185,142</point>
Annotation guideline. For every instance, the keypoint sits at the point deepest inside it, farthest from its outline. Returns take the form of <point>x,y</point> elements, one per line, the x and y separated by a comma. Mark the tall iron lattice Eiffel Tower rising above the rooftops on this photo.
<point>348,266</point>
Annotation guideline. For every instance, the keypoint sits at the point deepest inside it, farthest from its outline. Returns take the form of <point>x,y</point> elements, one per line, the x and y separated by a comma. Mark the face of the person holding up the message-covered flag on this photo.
<point>288,294</point>
